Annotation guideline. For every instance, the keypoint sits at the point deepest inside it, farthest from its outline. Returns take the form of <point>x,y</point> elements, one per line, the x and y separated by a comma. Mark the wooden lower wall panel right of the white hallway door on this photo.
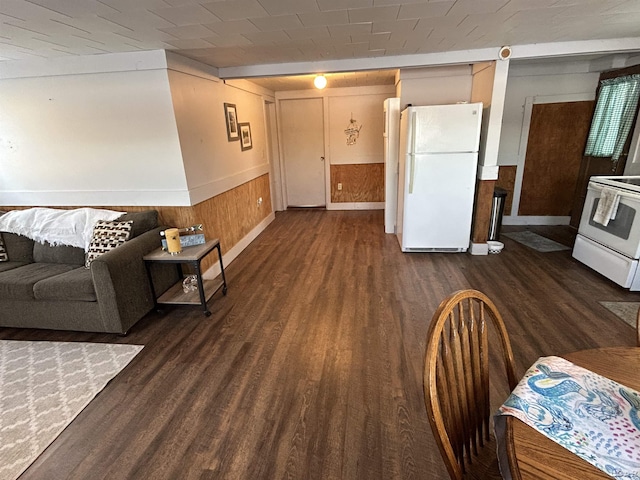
<point>360,183</point>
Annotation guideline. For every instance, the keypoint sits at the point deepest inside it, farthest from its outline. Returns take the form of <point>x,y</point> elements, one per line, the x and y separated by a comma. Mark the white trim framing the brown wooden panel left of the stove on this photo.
<point>512,218</point>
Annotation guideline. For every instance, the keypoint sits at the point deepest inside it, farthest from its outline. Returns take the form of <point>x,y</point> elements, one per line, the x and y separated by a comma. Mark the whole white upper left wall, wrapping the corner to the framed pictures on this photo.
<point>149,132</point>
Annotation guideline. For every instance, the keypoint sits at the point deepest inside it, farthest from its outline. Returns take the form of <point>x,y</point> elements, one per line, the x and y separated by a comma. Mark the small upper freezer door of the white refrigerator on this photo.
<point>446,128</point>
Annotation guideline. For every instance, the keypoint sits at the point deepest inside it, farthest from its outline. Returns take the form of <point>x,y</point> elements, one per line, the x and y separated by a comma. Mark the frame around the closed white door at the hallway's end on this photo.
<point>325,135</point>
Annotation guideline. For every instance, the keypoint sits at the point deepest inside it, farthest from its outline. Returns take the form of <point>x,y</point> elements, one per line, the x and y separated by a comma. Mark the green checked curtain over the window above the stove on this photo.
<point>613,117</point>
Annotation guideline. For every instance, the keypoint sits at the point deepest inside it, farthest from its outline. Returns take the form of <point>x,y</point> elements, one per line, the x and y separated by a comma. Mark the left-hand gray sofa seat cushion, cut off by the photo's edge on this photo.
<point>17,283</point>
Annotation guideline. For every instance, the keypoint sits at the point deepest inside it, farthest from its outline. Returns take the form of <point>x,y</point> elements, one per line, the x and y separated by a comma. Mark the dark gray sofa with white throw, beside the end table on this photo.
<point>48,287</point>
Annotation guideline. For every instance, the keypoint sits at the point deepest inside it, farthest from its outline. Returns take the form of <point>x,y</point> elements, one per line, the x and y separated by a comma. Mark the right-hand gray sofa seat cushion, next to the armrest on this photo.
<point>74,285</point>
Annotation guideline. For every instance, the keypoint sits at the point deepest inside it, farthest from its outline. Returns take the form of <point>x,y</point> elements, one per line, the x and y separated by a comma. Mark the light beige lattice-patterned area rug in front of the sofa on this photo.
<point>43,387</point>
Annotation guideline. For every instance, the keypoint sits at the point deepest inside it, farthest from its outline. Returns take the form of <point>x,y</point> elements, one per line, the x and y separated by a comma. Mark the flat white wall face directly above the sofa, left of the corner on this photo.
<point>90,139</point>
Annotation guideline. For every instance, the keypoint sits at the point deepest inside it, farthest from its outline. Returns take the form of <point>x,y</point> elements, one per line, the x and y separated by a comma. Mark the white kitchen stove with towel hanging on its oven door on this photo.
<point>608,238</point>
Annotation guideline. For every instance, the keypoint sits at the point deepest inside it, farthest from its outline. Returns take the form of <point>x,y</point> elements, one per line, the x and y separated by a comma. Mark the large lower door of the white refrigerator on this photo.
<point>438,201</point>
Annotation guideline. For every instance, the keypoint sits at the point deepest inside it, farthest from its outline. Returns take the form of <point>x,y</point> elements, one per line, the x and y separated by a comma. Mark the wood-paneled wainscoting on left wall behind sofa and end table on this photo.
<point>229,216</point>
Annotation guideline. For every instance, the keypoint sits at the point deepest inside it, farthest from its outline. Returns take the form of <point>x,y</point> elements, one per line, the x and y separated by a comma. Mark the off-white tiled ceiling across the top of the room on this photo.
<point>239,33</point>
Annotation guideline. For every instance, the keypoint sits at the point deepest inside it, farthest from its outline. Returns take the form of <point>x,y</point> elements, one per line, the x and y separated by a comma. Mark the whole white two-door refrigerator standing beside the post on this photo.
<point>437,176</point>
